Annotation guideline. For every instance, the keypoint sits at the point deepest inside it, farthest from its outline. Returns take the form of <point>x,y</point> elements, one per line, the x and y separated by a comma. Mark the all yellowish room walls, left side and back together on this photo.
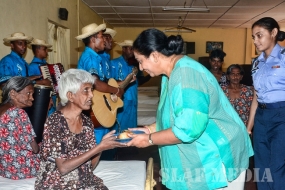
<point>31,17</point>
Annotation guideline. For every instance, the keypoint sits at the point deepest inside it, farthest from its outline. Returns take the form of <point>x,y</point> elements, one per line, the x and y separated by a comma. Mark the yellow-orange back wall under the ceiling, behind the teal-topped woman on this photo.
<point>235,42</point>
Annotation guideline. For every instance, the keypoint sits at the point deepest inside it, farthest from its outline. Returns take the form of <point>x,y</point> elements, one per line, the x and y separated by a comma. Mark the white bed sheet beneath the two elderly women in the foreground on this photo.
<point>127,175</point>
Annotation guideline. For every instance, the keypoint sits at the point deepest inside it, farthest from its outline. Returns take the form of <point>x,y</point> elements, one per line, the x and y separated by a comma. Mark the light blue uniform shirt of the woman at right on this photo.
<point>269,76</point>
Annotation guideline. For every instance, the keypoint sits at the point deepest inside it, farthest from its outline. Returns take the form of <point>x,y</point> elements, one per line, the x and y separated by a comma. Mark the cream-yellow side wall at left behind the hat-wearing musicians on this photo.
<point>31,17</point>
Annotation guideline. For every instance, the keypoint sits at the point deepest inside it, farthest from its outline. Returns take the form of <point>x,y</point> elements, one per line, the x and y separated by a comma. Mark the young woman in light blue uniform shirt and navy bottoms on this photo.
<point>268,107</point>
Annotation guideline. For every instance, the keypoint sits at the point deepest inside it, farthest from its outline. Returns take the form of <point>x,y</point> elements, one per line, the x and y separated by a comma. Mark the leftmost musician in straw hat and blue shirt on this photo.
<point>14,64</point>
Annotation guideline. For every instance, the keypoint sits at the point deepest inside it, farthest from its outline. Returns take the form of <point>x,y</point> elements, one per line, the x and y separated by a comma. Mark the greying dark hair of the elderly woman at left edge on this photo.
<point>16,83</point>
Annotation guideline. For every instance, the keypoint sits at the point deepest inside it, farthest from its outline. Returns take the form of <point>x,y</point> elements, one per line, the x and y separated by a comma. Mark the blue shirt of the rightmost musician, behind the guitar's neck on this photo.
<point>120,70</point>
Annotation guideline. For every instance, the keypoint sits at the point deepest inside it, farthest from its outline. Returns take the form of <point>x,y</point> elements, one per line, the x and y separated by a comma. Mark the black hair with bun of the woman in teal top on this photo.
<point>151,40</point>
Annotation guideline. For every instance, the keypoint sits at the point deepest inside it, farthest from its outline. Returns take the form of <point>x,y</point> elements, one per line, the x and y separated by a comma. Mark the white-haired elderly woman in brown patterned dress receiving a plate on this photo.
<point>69,150</point>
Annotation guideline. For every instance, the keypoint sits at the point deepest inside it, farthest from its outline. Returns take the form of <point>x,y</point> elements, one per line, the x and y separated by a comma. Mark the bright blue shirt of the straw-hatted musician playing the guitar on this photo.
<point>91,62</point>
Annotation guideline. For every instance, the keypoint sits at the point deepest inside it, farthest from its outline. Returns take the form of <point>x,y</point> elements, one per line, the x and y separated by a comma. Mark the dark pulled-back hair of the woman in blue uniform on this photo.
<point>269,24</point>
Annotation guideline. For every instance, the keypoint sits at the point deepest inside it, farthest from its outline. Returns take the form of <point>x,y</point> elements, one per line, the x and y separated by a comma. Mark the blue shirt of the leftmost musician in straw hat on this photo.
<point>12,65</point>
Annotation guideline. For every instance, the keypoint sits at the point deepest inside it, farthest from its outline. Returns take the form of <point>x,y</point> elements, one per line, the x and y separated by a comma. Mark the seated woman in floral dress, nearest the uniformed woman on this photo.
<point>239,95</point>
